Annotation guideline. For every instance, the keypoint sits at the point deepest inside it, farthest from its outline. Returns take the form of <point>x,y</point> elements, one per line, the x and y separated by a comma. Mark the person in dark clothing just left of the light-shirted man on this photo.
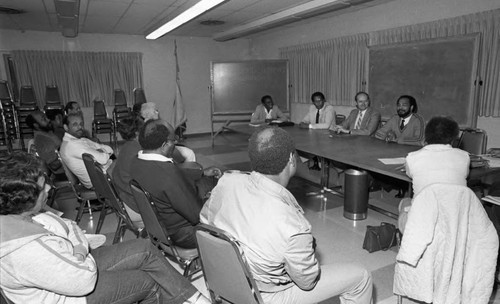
<point>46,142</point>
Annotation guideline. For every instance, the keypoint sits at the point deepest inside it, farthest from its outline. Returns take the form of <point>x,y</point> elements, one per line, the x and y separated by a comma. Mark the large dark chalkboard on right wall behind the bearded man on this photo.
<point>439,73</point>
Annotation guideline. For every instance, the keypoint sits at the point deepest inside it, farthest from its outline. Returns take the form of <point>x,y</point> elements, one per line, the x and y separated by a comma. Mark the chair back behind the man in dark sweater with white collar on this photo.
<point>147,209</point>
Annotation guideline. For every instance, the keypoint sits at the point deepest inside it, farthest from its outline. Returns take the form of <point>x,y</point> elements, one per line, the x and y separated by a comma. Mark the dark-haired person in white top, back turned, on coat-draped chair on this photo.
<point>437,162</point>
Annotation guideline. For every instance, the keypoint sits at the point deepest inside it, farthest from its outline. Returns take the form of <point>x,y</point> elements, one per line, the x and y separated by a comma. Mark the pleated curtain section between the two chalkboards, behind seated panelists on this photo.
<point>335,67</point>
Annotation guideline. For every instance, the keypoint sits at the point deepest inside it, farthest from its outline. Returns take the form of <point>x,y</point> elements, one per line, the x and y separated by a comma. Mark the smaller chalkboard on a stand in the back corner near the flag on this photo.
<point>238,86</point>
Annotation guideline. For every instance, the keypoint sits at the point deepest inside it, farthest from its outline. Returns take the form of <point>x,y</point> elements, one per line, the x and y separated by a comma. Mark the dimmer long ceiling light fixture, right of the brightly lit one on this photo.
<point>296,13</point>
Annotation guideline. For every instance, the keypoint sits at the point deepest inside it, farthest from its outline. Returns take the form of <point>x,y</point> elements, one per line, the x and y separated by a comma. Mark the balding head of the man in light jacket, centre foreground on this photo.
<point>272,150</point>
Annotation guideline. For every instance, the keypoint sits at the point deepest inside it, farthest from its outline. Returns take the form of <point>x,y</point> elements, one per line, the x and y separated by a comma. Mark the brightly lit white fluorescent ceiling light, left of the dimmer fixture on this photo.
<point>191,13</point>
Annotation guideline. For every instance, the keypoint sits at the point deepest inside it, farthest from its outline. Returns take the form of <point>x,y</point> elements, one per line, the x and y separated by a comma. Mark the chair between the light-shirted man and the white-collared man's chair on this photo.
<point>108,196</point>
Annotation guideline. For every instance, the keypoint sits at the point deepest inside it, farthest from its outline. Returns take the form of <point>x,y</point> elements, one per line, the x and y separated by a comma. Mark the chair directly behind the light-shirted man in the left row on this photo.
<point>82,194</point>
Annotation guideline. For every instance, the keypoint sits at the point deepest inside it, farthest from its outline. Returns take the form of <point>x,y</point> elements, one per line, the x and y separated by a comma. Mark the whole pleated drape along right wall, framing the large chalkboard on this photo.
<point>338,66</point>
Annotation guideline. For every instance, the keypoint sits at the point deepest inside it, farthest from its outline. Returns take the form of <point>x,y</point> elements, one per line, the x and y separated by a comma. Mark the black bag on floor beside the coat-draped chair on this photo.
<point>381,237</point>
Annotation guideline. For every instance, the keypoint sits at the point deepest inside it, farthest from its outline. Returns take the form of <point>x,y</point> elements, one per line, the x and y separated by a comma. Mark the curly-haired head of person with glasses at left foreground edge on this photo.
<point>23,189</point>
